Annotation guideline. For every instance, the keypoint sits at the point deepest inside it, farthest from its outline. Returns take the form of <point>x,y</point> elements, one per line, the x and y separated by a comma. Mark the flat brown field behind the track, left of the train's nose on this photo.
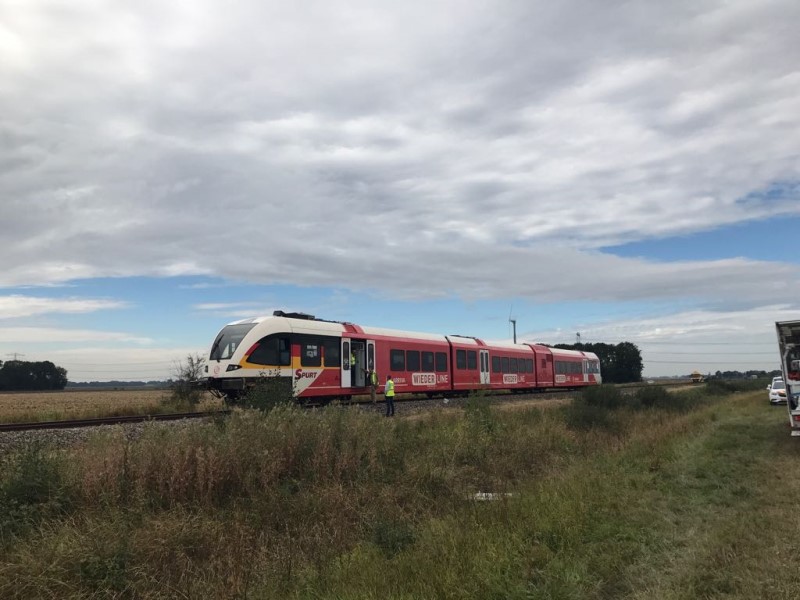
<point>57,405</point>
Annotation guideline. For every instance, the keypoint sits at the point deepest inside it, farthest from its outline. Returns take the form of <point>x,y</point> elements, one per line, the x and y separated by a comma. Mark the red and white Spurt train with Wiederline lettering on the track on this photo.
<point>329,359</point>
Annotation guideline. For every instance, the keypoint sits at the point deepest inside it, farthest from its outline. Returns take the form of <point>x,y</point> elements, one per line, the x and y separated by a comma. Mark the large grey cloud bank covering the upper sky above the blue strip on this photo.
<point>275,143</point>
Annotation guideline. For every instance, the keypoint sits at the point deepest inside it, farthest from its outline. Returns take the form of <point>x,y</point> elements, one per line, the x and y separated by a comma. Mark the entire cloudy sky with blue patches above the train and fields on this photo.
<point>626,171</point>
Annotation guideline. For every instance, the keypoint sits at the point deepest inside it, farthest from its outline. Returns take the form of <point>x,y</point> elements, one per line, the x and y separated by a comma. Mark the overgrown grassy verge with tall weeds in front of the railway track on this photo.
<point>652,501</point>
